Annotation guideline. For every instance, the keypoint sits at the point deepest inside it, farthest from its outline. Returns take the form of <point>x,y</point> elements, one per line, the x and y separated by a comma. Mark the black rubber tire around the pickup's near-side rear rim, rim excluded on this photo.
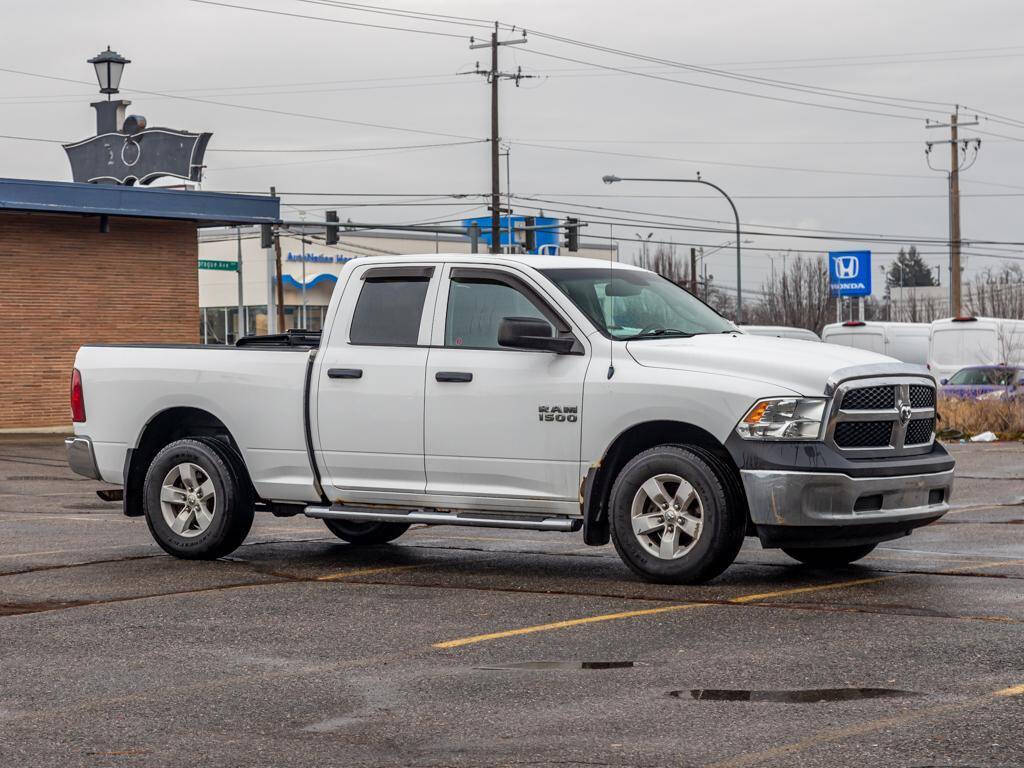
<point>233,507</point>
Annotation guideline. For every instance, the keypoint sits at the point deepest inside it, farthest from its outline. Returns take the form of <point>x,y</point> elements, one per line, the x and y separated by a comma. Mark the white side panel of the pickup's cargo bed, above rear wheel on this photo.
<point>259,396</point>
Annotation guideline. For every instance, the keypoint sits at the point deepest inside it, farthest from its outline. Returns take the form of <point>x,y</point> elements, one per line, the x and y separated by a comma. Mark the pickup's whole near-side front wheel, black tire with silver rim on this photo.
<point>671,518</point>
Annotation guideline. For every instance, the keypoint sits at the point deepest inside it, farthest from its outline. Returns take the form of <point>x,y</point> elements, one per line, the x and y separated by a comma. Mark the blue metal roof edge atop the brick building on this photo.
<point>114,200</point>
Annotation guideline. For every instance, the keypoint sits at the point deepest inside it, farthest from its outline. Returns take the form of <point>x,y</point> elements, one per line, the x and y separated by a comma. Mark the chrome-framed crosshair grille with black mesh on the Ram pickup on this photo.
<point>883,416</point>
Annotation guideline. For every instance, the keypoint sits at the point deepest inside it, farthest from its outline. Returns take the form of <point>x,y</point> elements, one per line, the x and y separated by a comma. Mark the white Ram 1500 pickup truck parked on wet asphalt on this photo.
<point>520,393</point>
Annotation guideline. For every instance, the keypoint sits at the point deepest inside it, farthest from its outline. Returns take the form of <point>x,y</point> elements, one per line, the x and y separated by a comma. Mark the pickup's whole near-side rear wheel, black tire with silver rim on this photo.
<point>197,506</point>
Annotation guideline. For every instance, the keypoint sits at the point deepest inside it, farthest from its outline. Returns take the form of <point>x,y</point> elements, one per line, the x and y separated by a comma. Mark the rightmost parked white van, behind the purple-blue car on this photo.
<point>957,343</point>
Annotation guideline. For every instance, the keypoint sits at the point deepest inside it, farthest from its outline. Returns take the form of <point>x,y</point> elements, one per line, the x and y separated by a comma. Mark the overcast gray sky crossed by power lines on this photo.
<point>591,121</point>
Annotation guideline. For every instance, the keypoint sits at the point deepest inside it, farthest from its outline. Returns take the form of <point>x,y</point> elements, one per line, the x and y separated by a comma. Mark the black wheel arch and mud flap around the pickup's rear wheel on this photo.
<point>165,428</point>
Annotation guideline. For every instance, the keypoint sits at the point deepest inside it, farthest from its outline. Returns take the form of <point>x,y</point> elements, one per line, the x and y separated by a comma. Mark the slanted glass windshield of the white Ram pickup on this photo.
<point>636,305</point>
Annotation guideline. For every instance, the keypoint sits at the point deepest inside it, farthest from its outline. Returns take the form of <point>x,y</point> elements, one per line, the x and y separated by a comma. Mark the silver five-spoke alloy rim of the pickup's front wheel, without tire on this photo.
<point>668,517</point>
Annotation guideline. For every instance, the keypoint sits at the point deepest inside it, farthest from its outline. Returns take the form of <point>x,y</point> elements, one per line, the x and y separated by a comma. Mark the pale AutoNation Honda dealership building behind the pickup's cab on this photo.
<point>219,292</point>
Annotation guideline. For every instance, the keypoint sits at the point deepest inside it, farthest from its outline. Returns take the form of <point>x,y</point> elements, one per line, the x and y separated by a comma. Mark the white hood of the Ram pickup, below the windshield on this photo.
<point>803,367</point>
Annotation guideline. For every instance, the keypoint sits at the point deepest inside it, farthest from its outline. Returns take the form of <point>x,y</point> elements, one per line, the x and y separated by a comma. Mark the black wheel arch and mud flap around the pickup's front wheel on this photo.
<point>641,438</point>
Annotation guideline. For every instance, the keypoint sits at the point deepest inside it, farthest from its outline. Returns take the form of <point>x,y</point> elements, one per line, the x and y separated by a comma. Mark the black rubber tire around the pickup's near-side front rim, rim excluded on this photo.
<point>723,520</point>
